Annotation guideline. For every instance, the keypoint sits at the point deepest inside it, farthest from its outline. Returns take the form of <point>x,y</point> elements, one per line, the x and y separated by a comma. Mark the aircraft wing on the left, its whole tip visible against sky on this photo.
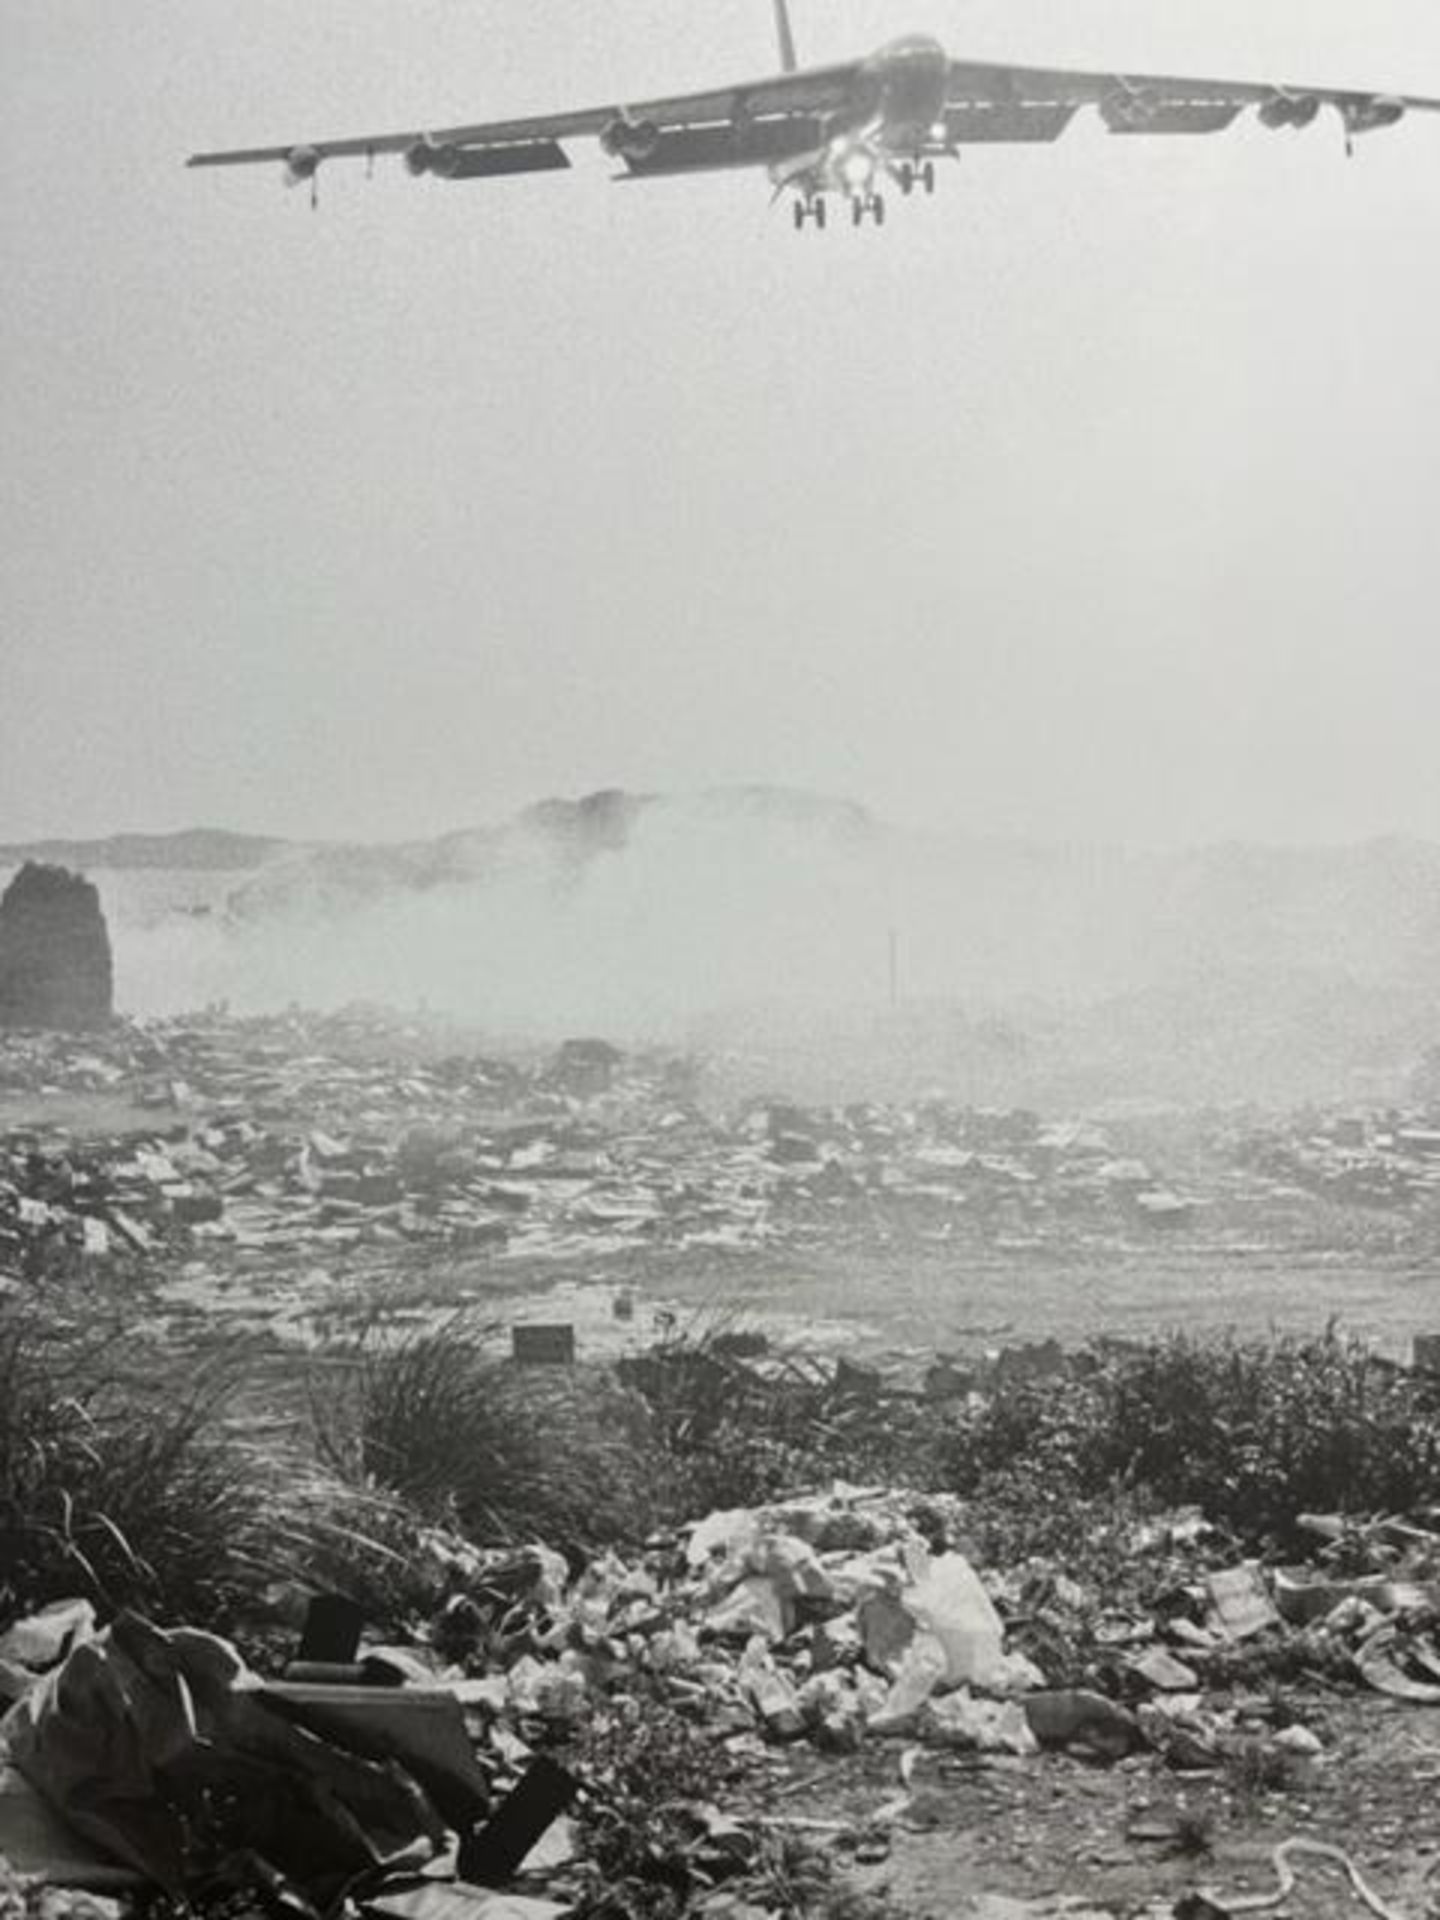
<point>631,130</point>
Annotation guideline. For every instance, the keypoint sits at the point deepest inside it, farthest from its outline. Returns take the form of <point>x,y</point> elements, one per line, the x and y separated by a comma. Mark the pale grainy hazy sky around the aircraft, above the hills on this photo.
<point>1095,498</point>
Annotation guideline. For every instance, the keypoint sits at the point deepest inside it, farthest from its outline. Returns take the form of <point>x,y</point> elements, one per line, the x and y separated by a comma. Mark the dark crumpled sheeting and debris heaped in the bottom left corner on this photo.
<point>170,1760</point>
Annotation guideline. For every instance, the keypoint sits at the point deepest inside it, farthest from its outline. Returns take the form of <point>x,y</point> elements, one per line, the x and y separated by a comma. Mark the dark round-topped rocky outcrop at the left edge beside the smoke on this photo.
<point>55,953</point>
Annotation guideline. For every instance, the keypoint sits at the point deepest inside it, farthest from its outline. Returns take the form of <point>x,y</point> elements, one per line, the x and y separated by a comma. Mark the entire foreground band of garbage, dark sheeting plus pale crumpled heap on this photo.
<point>828,1623</point>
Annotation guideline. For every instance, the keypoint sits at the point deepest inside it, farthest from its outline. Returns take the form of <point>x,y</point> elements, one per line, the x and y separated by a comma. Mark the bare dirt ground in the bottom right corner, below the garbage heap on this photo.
<point>1059,1829</point>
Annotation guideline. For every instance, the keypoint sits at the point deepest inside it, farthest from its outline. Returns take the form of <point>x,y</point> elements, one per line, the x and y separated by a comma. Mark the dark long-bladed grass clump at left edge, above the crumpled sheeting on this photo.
<point>132,1491</point>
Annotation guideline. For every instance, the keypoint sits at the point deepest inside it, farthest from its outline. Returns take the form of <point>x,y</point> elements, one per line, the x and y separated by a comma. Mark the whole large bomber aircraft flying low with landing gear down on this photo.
<point>844,132</point>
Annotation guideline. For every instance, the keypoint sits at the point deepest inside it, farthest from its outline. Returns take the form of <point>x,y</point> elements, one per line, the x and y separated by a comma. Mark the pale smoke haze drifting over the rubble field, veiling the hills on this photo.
<point>769,919</point>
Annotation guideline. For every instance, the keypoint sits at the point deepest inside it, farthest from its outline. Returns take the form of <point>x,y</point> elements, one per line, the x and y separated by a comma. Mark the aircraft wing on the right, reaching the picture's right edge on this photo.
<point>1001,103</point>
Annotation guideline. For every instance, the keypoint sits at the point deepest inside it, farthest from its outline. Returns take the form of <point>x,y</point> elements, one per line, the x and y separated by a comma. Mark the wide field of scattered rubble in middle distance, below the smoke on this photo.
<point>277,1145</point>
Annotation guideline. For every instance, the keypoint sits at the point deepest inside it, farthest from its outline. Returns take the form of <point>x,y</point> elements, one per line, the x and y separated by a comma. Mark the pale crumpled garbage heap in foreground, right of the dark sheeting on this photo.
<point>861,1614</point>
